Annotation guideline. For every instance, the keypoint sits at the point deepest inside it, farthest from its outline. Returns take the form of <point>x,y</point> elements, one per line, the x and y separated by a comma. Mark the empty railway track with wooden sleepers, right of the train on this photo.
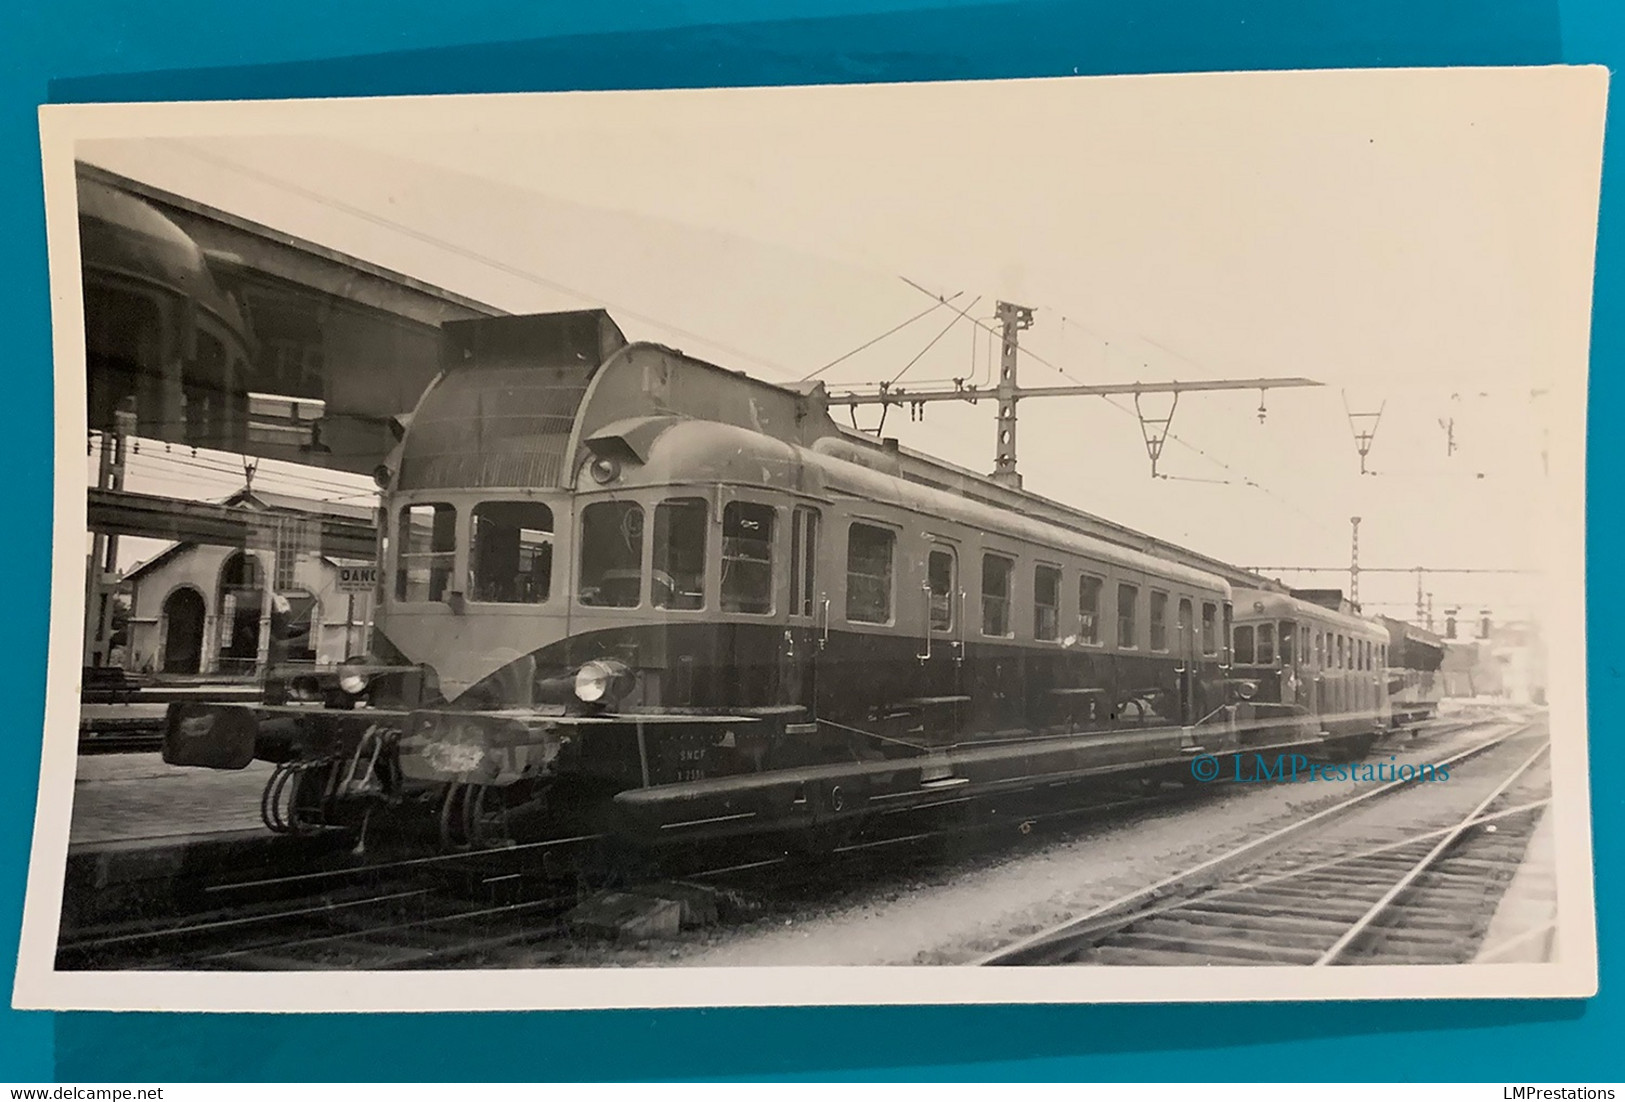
<point>1408,874</point>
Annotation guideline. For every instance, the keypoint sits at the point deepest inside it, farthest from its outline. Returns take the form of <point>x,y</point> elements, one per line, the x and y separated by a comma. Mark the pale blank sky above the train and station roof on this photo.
<point>1418,241</point>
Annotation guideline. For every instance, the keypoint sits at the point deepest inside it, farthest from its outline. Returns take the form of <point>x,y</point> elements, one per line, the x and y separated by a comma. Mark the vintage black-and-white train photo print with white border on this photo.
<point>1103,539</point>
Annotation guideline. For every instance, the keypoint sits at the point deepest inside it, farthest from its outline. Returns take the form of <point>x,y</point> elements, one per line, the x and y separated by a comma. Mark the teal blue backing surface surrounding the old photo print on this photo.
<point>171,50</point>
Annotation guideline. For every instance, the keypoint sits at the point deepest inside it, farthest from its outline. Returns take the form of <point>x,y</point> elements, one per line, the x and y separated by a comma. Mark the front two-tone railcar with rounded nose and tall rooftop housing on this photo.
<point>630,591</point>
